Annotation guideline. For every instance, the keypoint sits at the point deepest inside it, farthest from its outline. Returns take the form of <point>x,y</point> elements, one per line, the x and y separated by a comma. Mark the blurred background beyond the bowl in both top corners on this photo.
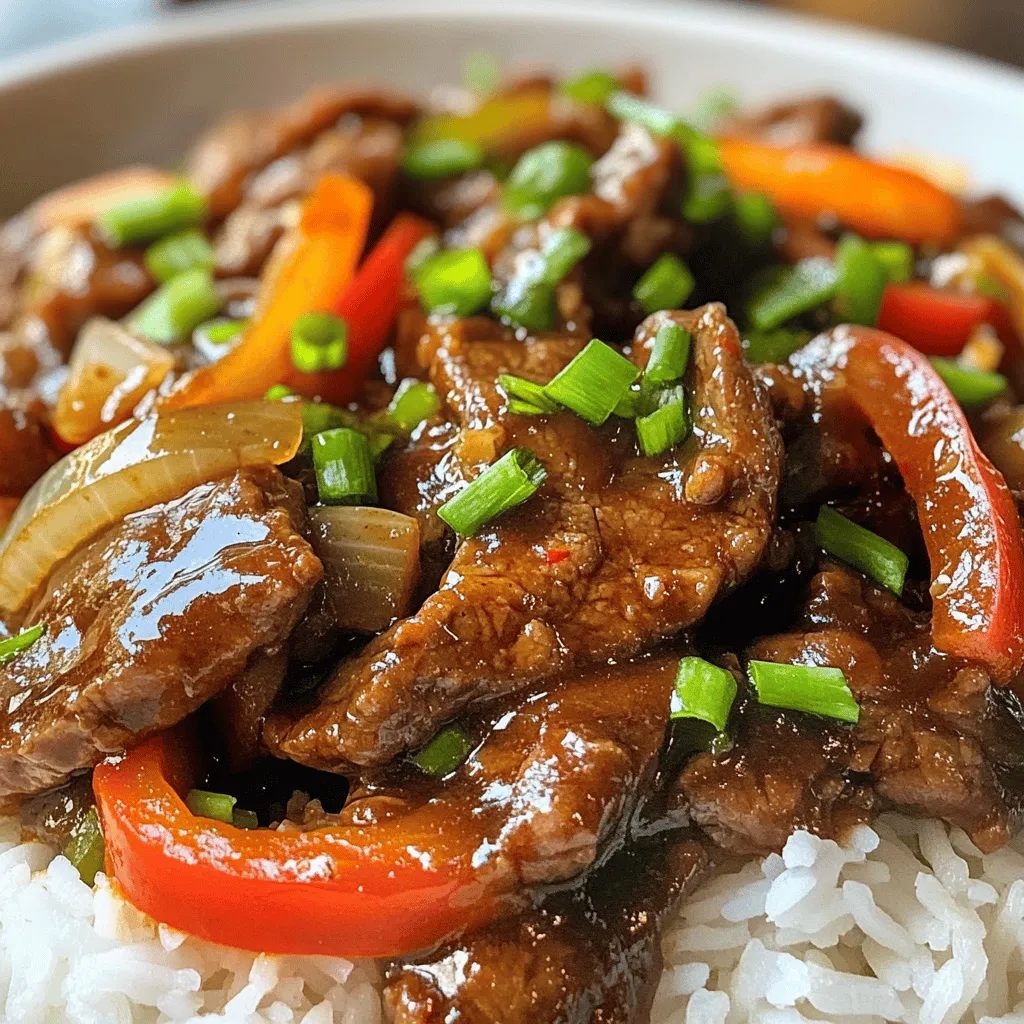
<point>990,28</point>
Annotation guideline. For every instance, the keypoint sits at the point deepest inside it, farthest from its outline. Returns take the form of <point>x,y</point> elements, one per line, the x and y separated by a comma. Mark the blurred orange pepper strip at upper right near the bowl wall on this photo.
<point>874,199</point>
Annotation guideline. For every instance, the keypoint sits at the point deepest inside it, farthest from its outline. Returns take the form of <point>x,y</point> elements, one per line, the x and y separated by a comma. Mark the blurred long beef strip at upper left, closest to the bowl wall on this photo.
<point>225,158</point>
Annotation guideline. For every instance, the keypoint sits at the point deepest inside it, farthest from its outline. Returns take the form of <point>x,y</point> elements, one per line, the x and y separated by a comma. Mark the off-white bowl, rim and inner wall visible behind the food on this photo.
<point>145,94</point>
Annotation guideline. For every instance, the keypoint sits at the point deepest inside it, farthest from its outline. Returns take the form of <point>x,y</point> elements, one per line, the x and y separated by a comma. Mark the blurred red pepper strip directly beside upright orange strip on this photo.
<point>370,308</point>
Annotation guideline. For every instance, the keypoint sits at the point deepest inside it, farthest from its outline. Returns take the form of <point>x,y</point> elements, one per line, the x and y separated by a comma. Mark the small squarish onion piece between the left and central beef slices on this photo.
<point>372,563</point>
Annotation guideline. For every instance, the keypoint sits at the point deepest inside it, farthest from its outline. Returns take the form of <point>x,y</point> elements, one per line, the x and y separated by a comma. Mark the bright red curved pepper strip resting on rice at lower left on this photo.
<point>386,890</point>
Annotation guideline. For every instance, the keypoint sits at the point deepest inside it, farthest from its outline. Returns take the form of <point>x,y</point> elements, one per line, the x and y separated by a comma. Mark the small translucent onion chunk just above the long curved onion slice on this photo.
<point>110,372</point>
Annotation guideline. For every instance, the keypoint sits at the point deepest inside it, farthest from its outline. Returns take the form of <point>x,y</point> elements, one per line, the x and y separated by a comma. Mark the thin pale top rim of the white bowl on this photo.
<point>767,29</point>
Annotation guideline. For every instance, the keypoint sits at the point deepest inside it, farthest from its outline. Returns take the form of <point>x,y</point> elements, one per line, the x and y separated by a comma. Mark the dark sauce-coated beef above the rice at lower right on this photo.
<point>933,739</point>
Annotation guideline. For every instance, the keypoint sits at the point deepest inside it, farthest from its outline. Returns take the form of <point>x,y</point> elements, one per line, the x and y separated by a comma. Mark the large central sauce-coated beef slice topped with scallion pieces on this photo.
<point>649,543</point>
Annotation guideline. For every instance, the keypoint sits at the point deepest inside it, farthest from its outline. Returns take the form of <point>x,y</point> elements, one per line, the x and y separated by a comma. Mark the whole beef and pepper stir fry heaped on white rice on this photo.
<point>443,531</point>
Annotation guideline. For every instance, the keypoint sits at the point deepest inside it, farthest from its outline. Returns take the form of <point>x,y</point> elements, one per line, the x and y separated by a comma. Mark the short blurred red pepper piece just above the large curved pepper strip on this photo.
<point>937,322</point>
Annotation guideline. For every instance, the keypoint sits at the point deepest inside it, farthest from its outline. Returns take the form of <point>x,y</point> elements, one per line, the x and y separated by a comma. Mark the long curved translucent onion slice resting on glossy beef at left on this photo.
<point>140,464</point>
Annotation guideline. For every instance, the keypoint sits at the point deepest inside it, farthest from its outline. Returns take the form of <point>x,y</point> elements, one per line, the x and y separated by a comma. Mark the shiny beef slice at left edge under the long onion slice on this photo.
<point>148,622</point>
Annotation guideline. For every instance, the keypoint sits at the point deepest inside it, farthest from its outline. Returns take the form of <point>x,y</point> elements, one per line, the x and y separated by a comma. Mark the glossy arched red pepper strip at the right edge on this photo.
<point>966,511</point>
